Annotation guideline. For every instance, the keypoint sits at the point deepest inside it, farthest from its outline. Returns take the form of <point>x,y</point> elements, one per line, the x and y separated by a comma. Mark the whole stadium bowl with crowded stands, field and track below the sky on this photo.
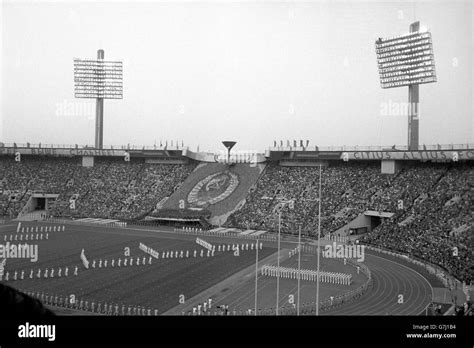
<point>414,223</point>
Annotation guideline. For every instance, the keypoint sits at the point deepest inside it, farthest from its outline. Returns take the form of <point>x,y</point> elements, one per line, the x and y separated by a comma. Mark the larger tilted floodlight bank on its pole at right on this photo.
<point>407,60</point>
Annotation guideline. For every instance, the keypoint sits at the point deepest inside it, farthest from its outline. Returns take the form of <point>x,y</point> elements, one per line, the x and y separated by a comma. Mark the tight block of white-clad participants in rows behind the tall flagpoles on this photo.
<point>306,274</point>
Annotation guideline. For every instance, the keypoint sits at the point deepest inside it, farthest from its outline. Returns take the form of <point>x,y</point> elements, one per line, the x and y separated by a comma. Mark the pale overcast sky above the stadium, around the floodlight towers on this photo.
<point>253,72</point>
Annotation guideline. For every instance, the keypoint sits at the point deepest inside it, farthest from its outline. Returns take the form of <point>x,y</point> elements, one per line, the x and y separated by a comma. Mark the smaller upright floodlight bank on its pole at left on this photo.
<point>98,79</point>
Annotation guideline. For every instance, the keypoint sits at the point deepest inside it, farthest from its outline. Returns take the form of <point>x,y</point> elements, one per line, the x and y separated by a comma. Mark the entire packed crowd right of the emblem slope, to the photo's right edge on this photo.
<point>433,199</point>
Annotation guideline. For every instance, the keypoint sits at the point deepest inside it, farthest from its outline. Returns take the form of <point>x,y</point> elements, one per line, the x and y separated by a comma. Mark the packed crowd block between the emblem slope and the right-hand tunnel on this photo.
<point>346,190</point>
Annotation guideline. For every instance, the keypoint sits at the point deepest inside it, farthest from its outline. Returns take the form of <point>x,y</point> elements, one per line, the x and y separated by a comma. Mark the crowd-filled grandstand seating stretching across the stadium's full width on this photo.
<point>436,215</point>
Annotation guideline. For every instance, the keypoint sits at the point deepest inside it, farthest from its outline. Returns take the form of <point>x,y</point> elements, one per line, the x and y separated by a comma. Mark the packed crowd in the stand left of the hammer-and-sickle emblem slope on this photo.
<point>112,188</point>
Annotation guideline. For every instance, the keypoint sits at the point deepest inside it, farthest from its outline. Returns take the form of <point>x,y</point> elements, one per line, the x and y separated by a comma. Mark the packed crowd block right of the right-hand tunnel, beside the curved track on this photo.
<point>441,226</point>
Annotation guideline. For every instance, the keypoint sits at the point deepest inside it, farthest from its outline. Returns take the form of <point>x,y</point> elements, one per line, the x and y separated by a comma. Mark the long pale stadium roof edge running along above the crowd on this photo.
<point>289,154</point>
